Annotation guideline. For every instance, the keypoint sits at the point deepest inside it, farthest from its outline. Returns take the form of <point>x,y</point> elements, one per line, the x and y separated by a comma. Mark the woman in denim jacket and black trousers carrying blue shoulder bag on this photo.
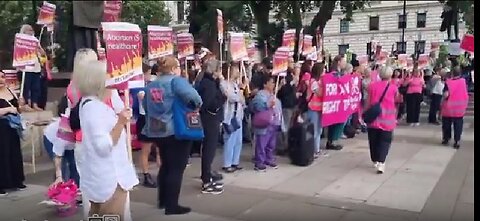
<point>159,96</point>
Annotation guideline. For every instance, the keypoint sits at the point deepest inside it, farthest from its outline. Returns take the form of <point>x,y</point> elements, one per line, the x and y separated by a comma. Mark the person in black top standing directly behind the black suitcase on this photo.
<point>287,95</point>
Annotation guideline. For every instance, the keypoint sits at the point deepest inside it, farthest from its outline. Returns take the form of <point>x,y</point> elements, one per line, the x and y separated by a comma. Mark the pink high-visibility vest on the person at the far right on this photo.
<point>457,102</point>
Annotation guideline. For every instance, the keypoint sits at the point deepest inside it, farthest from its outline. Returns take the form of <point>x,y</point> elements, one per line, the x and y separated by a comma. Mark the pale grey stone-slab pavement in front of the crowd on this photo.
<point>423,181</point>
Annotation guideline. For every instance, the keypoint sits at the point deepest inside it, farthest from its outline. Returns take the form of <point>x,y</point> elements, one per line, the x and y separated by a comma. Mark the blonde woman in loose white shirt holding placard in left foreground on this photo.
<point>107,174</point>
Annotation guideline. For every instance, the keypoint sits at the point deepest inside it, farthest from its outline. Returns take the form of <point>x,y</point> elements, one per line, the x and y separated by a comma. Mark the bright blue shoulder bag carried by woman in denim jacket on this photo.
<point>186,121</point>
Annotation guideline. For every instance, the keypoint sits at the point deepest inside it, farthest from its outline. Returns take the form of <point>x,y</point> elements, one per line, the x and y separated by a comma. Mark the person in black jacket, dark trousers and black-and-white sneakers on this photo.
<point>211,114</point>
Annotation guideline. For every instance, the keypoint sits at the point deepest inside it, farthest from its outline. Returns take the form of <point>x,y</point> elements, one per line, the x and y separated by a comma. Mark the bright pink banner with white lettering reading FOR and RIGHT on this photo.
<point>341,98</point>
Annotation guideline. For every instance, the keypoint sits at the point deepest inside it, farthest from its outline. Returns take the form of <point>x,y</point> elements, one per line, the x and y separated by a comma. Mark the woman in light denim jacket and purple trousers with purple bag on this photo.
<point>266,138</point>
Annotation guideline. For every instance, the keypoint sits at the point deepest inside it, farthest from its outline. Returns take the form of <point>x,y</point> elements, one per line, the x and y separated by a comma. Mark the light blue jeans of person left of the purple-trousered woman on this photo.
<point>232,148</point>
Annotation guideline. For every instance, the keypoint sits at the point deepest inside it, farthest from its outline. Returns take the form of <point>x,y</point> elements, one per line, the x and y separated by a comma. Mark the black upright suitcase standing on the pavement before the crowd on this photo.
<point>300,144</point>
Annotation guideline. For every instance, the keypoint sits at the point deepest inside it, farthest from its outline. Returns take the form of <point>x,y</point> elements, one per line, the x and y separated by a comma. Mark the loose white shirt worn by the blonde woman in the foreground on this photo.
<point>108,164</point>
